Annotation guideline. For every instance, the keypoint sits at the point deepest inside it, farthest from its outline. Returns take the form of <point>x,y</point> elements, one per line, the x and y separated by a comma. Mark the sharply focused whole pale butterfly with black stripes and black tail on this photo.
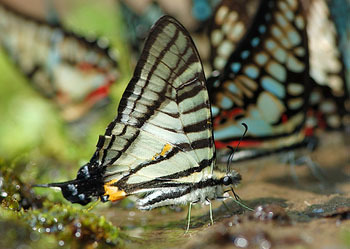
<point>160,145</point>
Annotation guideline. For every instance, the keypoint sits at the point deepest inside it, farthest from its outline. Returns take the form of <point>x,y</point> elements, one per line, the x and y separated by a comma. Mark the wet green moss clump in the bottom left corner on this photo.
<point>34,220</point>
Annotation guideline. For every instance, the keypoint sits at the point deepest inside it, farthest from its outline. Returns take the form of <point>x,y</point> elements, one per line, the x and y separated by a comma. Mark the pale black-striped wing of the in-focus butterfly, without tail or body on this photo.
<point>163,129</point>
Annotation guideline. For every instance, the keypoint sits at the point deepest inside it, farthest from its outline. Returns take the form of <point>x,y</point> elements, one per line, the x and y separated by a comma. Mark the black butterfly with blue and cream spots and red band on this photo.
<point>265,84</point>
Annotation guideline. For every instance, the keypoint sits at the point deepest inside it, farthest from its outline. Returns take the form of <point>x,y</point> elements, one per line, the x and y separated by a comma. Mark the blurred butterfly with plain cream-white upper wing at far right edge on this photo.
<point>329,100</point>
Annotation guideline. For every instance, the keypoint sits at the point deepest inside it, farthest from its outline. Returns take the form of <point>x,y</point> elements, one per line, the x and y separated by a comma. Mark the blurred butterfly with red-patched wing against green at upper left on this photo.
<point>72,71</point>
